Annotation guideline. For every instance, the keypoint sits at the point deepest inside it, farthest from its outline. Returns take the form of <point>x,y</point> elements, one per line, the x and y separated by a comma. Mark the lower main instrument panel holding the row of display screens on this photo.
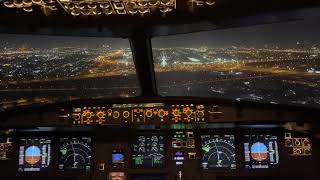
<point>154,154</point>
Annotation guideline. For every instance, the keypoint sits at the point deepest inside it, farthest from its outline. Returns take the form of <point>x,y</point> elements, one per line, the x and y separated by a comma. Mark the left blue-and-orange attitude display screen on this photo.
<point>34,154</point>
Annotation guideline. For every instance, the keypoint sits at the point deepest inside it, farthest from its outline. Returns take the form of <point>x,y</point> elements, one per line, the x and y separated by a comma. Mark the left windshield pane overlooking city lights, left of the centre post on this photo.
<point>47,69</point>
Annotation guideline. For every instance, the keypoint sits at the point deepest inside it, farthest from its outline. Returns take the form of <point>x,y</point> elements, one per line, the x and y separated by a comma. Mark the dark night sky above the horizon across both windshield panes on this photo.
<point>284,35</point>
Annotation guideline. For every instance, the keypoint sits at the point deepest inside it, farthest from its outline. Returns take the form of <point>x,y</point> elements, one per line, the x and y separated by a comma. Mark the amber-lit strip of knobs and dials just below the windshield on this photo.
<point>145,113</point>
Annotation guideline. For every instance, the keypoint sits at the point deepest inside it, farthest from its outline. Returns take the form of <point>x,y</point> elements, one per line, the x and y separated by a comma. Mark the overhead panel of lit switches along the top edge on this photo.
<point>97,7</point>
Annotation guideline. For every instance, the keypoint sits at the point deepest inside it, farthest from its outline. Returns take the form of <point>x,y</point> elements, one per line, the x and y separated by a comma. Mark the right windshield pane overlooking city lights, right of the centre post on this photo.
<point>273,63</point>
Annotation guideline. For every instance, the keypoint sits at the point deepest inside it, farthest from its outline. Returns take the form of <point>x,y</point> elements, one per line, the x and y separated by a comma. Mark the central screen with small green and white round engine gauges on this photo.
<point>148,151</point>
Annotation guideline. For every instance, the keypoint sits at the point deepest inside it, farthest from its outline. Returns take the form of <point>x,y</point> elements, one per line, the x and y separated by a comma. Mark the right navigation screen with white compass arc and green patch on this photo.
<point>218,151</point>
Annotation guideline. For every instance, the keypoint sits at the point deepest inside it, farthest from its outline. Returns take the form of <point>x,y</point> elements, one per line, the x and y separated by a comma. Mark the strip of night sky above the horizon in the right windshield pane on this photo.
<point>284,35</point>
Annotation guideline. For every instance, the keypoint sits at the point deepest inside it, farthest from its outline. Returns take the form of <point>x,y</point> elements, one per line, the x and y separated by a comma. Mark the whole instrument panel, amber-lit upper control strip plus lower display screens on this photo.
<point>161,141</point>
